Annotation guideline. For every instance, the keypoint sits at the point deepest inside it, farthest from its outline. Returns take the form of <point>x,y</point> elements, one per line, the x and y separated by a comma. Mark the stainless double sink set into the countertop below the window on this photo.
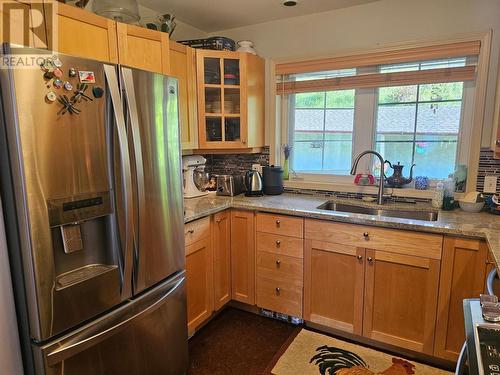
<point>426,215</point>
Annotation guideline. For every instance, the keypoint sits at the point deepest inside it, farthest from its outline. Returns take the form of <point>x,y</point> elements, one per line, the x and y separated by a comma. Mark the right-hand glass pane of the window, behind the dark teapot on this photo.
<point>420,124</point>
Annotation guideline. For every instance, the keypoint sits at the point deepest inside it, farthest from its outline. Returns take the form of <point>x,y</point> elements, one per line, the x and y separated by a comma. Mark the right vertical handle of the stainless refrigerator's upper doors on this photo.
<point>131,101</point>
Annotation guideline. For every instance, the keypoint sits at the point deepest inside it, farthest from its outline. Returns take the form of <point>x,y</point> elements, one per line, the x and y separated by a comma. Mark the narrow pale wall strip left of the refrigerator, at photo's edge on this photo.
<point>10,354</point>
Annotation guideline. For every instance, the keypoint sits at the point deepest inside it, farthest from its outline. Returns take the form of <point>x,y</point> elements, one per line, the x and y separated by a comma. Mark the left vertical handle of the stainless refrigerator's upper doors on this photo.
<point>112,79</point>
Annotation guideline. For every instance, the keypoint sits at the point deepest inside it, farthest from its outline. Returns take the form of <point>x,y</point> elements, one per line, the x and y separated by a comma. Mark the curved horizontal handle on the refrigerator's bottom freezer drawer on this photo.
<point>76,343</point>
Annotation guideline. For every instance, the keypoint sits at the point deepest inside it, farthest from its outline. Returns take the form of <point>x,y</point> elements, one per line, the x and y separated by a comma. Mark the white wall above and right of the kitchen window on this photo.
<point>374,24</point>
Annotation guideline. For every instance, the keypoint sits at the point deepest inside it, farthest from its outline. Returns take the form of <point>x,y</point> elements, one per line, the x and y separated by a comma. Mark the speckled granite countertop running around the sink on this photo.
<point>479,225</point>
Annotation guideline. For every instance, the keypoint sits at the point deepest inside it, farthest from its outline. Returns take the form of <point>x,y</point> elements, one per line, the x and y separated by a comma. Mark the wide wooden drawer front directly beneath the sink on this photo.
<point>391,240</point>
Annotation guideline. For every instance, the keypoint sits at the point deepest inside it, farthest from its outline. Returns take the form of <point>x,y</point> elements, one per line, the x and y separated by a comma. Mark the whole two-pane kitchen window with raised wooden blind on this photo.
<point>331,116</point>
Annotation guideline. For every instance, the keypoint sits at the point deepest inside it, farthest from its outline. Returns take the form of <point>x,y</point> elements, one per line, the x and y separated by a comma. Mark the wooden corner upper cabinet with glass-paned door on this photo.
<point>230,100</point>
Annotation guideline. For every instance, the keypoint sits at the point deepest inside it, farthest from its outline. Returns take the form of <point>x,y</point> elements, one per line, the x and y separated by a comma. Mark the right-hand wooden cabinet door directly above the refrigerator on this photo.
<point>142,48</point>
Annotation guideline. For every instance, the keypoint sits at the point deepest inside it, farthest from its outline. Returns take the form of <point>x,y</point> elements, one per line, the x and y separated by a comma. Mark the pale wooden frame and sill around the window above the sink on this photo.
<point>467,149</point>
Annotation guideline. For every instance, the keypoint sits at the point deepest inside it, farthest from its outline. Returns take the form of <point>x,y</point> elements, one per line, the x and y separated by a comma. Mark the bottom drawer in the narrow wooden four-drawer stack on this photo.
<point>279,296</point>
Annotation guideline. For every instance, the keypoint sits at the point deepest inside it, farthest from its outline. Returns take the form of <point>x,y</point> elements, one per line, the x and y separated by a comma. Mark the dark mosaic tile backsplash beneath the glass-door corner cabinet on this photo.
<point>235,163</point>
